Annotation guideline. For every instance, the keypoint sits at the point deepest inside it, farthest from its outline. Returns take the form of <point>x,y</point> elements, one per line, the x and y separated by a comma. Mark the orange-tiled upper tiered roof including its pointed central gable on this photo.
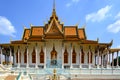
<point>53,30</point>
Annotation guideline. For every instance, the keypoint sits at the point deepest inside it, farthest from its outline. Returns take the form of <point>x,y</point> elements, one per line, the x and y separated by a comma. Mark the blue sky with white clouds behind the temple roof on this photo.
<point>101,17</point>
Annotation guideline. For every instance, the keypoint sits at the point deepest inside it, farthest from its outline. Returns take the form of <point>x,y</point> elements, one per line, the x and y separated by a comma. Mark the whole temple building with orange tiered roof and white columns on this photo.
<point>54,45</point>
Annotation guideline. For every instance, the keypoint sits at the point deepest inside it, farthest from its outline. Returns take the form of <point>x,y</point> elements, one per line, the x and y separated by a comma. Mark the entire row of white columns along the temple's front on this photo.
<point>99,55</point>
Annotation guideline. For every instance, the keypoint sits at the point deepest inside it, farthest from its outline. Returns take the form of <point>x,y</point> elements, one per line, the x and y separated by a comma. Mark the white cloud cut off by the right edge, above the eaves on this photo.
<point>115,27</point>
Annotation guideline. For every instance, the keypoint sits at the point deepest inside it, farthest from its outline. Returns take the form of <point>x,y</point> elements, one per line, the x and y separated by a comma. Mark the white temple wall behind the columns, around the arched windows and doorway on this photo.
<point>49,48</point>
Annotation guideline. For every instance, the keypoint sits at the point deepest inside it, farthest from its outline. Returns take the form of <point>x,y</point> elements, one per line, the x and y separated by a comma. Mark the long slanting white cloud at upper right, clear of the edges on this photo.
<point>100,15</point>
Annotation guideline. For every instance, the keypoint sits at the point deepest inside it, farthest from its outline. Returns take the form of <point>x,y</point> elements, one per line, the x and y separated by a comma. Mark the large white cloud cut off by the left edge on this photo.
<point>6,27</point>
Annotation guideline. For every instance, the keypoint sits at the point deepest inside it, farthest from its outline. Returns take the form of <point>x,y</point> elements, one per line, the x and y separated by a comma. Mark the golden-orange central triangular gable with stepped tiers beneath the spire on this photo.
<point>54,28</point>
